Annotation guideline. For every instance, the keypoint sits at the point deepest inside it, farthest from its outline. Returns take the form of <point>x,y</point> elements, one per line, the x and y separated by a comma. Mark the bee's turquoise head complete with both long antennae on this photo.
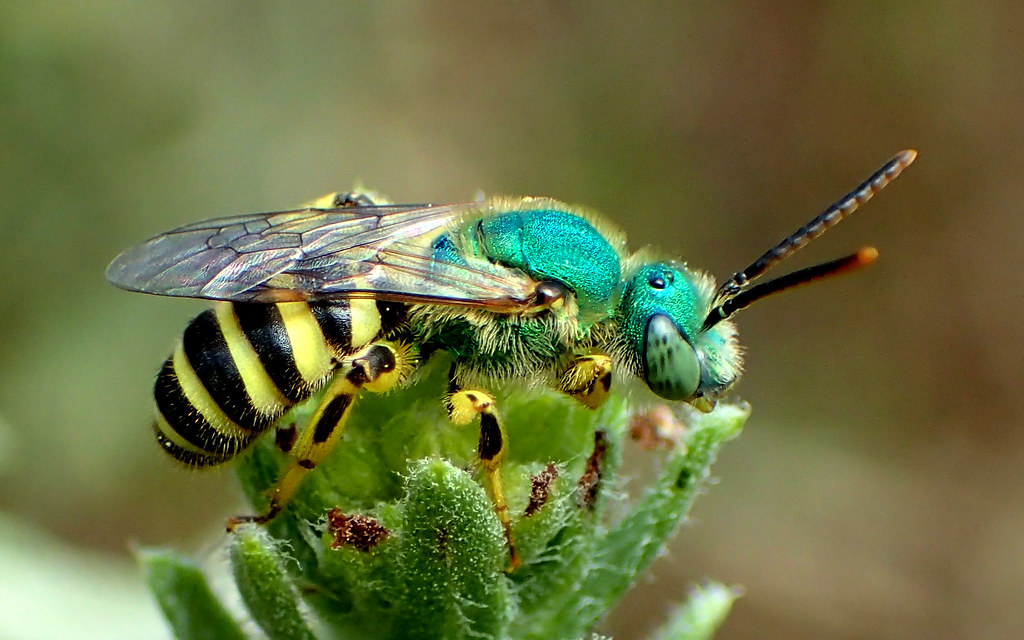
<point>678,326</point>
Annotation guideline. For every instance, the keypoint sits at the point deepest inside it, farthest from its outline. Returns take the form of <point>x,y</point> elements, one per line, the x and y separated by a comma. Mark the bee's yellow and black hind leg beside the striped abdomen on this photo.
<point>376,368</point>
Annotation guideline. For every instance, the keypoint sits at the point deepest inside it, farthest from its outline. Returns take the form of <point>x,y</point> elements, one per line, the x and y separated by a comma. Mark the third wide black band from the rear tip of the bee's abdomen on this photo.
<point>265,328</point>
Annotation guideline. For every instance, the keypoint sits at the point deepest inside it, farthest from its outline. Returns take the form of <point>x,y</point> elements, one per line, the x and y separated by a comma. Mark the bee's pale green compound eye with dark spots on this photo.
<point>672,369</point>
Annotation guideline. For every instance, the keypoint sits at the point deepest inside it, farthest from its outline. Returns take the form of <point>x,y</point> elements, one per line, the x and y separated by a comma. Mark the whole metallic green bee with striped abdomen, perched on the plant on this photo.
<point>354,295</point>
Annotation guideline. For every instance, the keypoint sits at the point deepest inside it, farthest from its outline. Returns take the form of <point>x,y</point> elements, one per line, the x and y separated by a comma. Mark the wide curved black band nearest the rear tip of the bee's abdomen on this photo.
<point>188,421</point>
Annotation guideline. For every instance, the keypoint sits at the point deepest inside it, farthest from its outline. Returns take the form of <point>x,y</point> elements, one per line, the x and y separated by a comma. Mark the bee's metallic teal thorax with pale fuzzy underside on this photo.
<point>547,244</point>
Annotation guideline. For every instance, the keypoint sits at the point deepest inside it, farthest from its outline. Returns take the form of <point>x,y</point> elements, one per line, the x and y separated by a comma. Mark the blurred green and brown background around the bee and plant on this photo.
<point>879,489</point>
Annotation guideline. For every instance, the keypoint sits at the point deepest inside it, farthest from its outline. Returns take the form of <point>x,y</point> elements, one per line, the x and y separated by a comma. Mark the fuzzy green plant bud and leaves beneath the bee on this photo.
<point>414,548</point>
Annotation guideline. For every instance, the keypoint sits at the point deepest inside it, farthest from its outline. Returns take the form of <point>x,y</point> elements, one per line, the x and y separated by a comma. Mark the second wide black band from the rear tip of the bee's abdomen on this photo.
<point>207,352</point>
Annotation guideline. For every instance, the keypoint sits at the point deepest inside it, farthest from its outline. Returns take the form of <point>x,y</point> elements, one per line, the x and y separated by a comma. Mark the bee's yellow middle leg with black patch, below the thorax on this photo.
<point>463,406</point>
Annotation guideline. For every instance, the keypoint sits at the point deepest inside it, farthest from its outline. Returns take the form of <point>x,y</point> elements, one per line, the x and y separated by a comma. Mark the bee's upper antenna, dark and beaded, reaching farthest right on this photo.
<point>827,220</point>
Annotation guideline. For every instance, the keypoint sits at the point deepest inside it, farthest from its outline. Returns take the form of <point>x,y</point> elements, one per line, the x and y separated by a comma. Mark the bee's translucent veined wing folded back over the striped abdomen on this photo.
<point>321,254</point>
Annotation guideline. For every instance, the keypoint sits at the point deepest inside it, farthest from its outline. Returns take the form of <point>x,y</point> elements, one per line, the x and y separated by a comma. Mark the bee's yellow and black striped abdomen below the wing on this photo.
<point>240,366</point>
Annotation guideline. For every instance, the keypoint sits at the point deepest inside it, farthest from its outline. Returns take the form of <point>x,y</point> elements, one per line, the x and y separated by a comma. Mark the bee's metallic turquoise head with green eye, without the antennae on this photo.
<point>664,310</point>
